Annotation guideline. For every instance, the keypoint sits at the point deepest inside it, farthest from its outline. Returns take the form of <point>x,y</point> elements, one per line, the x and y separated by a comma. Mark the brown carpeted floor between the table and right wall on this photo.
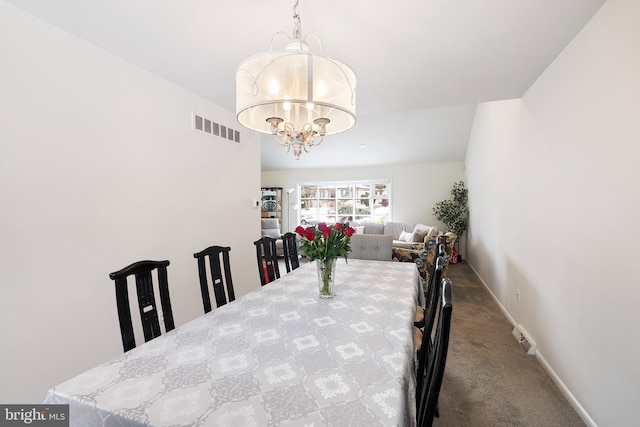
<point>489,379</point>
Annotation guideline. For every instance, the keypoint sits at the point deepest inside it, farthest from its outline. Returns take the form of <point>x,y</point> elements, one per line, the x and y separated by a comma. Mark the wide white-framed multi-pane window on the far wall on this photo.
<point>344,201</point>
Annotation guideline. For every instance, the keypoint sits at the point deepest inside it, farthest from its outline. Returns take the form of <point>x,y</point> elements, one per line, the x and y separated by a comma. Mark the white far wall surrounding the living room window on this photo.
<point>415,188</point>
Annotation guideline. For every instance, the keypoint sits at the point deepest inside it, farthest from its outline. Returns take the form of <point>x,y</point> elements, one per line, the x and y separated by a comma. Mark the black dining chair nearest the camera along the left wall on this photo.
<point>142,270</point>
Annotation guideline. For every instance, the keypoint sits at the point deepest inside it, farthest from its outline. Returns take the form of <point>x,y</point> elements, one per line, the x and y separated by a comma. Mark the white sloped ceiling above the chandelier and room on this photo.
<point>422,65</point>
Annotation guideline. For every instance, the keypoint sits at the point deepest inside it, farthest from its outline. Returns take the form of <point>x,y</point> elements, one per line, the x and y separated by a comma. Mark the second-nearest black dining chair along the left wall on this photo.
<point>220,271</point>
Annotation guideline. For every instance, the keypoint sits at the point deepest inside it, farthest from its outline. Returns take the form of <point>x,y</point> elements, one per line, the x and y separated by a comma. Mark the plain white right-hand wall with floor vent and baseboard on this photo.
<point>555,213</point>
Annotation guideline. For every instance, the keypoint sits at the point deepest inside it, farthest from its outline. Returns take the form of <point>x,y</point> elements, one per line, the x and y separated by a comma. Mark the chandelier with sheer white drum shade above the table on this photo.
<point>297,95</point>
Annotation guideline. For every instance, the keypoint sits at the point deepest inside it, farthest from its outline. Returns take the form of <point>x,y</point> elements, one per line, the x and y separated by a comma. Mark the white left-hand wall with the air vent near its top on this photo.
<point>98,169</point>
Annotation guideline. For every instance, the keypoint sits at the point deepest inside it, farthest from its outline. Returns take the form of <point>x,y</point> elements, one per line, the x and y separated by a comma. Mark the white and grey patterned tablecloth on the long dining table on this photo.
<point>276,356</point>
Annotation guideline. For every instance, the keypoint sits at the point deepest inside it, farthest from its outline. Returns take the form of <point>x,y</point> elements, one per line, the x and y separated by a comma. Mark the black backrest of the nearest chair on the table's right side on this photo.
<point>428,404</point>
